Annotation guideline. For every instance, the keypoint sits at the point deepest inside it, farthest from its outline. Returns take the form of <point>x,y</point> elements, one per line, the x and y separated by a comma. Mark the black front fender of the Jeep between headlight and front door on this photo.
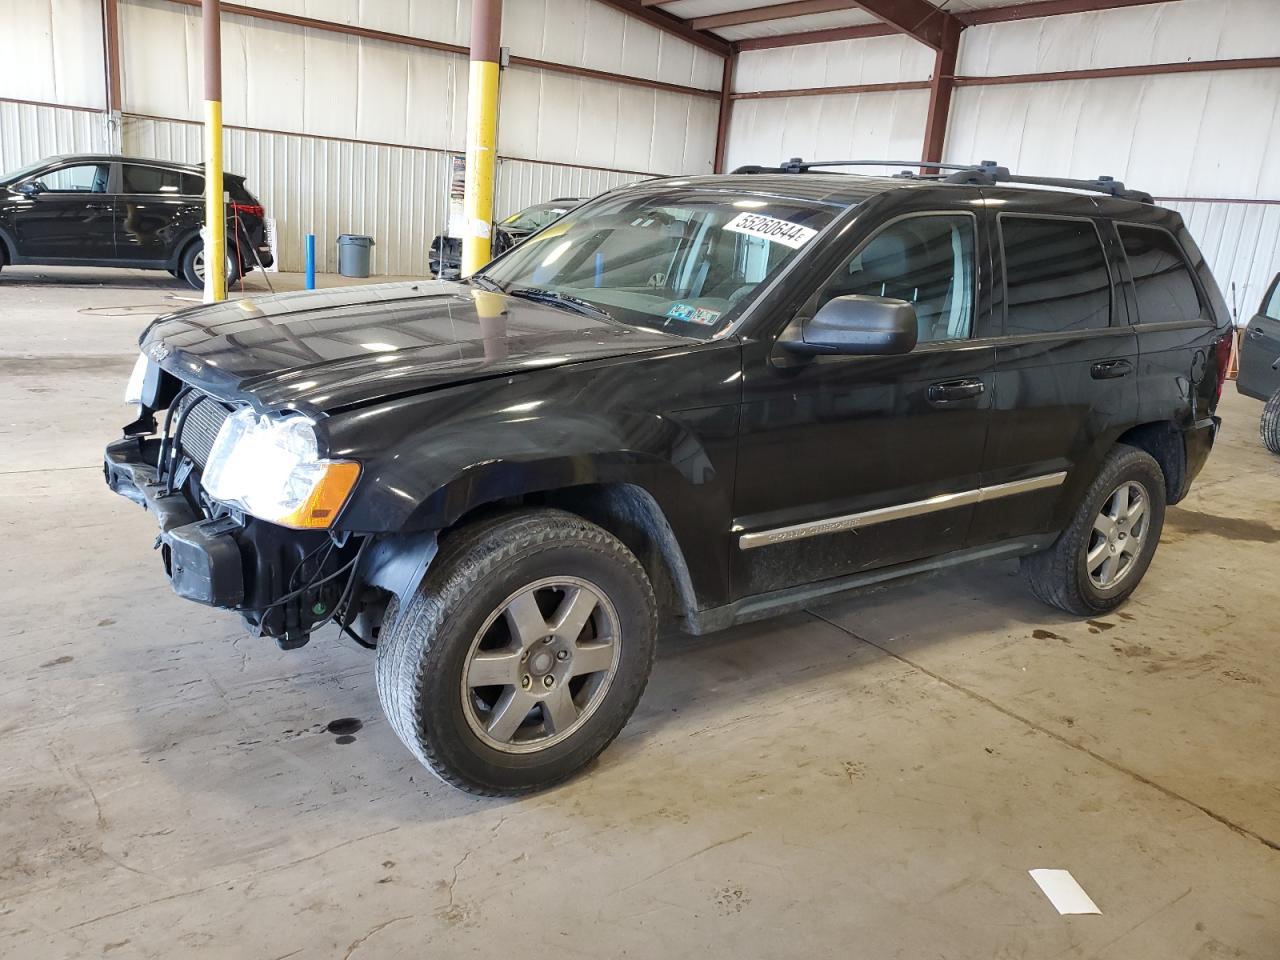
<point>432,459</point>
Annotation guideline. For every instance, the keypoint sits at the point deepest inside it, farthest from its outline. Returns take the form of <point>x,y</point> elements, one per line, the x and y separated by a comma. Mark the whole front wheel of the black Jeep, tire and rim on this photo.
<point>522,656</point>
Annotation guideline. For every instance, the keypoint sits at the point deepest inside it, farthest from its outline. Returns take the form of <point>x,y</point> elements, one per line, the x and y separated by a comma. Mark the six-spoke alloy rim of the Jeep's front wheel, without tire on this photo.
<point>541,665</point>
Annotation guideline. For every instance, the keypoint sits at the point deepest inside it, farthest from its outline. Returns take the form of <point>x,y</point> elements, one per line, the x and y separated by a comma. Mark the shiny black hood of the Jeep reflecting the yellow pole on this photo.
<point>337,349</point>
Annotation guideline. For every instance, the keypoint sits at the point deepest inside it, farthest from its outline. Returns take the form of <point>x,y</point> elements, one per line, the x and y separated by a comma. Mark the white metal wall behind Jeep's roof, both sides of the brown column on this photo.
<point>1212,135</point>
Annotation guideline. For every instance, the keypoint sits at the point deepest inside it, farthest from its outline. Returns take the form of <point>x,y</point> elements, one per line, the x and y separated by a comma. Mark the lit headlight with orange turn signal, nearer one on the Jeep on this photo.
<point>272,468</point>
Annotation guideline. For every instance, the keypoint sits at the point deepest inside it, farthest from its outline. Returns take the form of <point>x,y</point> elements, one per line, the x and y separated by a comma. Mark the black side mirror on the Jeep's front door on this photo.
<point>857,326</point>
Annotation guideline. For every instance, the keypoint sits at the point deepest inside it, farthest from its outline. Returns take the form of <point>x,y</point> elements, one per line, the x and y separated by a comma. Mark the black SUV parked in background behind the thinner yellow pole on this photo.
<point>104,211</point>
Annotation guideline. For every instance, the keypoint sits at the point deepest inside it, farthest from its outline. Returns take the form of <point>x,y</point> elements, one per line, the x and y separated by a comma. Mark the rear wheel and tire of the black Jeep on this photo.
<point>1103,556</point>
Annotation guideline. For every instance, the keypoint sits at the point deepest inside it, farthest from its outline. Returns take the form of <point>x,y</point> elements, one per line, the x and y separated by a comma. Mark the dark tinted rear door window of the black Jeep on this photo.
<point>1057,277</point>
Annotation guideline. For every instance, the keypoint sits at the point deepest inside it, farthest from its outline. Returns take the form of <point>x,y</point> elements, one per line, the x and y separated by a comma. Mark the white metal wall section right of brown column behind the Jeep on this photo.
<point>1212,136</point>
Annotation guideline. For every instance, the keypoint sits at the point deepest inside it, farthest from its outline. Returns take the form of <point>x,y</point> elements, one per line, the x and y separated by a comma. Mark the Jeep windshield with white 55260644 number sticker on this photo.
<point>676,260</point>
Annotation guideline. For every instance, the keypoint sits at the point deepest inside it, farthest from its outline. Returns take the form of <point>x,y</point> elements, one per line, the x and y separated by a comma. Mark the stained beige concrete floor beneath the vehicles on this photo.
<point>868,780</point>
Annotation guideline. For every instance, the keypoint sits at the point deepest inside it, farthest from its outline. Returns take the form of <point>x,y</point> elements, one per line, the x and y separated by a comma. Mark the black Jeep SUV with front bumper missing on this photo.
<point>698,401</point>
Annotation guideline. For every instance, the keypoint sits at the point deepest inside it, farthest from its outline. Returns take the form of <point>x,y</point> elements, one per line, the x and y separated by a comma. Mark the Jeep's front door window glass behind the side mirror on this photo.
<point>926,260</point>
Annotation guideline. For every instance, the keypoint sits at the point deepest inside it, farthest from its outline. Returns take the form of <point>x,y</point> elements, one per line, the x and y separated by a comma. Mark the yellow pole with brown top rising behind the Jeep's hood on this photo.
<point>482,134</point>
